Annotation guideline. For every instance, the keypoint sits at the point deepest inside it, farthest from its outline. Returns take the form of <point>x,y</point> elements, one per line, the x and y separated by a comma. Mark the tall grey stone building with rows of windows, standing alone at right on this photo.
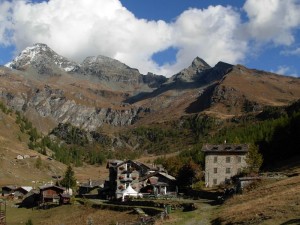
<point>223,162</point>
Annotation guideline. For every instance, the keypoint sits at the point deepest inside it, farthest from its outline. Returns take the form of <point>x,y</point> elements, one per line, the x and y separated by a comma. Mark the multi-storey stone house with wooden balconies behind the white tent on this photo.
<point>123,174</point>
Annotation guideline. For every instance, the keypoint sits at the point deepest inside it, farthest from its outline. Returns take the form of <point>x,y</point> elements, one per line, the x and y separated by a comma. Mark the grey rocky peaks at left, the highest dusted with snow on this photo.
<point>43,60</point>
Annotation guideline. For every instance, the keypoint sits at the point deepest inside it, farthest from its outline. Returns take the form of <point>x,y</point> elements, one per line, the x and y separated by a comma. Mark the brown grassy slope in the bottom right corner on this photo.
<point>272,202</point>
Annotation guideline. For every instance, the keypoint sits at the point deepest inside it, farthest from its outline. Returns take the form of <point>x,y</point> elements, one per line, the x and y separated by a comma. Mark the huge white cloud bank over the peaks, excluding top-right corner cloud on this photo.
<point>81,28</point>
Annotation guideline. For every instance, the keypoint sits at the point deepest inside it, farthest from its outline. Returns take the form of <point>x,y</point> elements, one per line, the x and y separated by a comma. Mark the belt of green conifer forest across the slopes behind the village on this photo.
<point>275,131</point>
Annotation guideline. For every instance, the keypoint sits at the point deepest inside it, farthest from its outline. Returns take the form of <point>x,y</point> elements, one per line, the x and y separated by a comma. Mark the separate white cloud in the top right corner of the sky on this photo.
<point>273,20</point>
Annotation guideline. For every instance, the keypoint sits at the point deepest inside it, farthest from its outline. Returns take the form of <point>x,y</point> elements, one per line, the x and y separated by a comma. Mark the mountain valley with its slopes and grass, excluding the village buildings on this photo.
<point>58,113</point>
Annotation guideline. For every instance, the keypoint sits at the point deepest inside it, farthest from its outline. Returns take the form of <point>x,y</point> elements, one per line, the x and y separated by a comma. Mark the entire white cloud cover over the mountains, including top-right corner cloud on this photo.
<point>80,28</point>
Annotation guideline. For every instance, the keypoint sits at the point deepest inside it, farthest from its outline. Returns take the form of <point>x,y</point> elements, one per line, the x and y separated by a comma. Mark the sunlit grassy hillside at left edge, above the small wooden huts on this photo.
<point>22,171</point>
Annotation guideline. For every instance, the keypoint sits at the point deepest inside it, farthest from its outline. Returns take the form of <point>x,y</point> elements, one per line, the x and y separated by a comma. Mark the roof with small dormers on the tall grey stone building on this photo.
<point>234,148</point>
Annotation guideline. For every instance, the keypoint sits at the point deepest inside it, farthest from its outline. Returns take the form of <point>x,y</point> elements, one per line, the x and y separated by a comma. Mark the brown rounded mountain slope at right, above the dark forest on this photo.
<point>244,90</point>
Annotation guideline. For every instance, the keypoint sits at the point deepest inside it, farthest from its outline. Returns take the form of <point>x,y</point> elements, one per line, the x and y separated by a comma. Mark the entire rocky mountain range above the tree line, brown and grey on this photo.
<point>102,90</point>
